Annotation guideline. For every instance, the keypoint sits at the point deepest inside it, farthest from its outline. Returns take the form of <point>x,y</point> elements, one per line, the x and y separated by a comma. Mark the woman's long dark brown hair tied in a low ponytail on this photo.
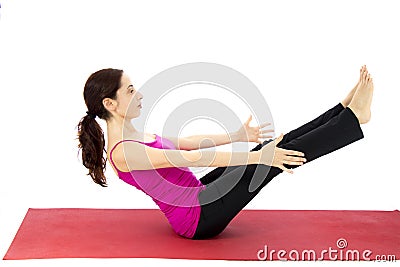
<point>101,84</point>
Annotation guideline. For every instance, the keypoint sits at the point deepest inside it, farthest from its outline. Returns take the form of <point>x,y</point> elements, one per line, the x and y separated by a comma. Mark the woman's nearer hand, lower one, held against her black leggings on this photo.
<point>279,156</point>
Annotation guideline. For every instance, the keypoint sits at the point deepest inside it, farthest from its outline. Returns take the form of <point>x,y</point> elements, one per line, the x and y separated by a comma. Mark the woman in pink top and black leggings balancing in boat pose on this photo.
<point>202,208</point>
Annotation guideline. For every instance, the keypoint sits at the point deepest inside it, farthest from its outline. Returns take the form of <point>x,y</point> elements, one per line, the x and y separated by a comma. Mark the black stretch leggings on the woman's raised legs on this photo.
<point>229,189</point>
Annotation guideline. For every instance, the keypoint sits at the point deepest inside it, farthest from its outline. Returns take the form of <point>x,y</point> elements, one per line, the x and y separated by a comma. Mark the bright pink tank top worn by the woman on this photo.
<point>175,189</point>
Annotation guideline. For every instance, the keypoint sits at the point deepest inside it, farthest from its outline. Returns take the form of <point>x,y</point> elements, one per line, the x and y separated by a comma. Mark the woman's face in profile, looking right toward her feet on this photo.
<point>128,99</point>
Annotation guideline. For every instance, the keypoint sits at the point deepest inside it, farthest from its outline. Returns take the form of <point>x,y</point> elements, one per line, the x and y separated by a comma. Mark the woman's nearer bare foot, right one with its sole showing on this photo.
<point>361,102</point>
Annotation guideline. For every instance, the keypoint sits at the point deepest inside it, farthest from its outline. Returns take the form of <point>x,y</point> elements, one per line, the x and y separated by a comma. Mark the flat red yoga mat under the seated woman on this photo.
<point>252,235</point>
